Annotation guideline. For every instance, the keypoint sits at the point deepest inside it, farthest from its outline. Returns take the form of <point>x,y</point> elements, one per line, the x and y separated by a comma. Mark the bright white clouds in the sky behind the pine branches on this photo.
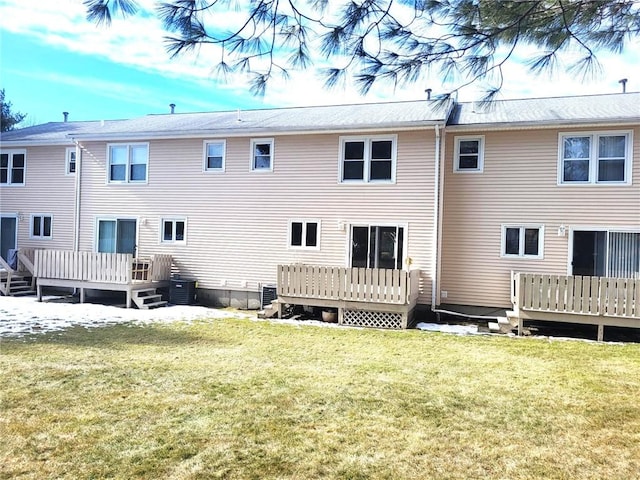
<point>139,42</point>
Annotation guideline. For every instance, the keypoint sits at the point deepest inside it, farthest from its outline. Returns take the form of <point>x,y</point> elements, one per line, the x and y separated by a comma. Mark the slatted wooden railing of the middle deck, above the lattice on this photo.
<point>371,285</point>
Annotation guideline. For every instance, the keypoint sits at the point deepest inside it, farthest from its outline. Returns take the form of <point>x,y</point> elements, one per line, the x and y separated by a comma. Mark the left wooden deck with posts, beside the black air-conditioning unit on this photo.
<point>100,271</point>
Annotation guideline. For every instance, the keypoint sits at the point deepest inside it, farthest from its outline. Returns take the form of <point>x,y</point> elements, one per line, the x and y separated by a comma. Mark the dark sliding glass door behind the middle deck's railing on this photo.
<point>377,246</point>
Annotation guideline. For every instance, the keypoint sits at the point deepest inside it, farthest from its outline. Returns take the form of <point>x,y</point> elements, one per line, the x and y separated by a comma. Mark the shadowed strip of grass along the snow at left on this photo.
<point>113,336</point>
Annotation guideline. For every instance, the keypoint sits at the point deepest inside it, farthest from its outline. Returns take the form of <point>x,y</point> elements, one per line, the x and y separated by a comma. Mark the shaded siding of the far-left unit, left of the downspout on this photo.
<point>47,190</point>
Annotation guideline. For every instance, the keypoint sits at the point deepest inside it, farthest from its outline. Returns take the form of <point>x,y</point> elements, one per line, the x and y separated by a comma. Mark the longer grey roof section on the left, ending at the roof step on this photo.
<point>372,116</point>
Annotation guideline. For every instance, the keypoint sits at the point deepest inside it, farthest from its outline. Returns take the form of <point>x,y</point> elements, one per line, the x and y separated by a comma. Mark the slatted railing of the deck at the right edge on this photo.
<point>613,297</point>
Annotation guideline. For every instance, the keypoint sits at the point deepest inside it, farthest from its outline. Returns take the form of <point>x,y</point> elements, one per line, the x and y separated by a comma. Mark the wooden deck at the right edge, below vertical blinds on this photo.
<point>597,301</point>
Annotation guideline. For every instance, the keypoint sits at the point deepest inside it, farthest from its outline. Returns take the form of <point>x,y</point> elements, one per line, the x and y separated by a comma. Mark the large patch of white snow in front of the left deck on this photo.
<point>21,316</point>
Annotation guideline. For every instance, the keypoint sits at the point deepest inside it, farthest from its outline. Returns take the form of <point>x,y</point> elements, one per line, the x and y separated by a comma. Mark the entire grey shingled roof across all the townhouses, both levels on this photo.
<point>540,112</point>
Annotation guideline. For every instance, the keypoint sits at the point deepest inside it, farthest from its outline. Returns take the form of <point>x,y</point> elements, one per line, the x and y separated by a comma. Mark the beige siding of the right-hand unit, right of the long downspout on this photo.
<point>519,186</point>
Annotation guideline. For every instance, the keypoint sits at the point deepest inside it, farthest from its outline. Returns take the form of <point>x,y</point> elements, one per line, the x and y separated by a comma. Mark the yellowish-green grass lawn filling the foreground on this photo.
<point>237,399</point>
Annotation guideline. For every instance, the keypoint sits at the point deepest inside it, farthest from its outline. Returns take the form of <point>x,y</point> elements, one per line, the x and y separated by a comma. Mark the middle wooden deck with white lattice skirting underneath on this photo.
<point>362,296</point>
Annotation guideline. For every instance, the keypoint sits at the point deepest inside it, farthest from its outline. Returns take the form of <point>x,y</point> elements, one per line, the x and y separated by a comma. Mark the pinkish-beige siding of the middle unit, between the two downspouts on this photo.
<point>237,220</point>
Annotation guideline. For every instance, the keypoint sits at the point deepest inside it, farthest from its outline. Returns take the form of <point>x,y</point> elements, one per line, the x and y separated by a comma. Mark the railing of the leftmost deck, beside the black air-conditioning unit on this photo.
<point>117,268</point>
